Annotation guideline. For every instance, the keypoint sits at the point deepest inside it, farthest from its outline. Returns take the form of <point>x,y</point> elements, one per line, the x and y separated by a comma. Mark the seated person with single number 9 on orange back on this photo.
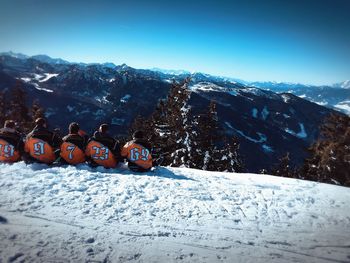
<point>41,144</point>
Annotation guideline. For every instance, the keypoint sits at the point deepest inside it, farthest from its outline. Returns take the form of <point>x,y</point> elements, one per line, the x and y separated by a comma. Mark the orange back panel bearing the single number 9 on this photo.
<point>40,150</point>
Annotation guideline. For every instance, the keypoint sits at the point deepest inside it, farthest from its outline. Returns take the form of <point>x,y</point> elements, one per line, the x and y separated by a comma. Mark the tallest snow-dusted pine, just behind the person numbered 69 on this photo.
<point>170,128</point>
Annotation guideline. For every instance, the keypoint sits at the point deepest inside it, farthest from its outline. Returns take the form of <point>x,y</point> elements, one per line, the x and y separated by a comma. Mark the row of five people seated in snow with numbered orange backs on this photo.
<point>44,146</point>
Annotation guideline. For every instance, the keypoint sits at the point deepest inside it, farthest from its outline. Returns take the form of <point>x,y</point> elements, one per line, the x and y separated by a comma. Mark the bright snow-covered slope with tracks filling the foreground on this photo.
<point>68,214</point>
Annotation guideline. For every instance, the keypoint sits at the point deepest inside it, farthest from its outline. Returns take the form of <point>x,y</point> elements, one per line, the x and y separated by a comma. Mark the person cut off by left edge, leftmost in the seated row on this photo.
<point>11,143</point>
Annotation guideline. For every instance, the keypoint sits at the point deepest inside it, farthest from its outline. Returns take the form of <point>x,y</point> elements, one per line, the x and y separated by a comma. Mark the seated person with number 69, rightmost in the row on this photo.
<point>138,153</point>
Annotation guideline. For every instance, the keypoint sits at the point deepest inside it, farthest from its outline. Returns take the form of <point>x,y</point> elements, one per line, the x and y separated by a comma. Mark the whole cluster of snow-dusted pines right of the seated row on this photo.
<point>184,140</point>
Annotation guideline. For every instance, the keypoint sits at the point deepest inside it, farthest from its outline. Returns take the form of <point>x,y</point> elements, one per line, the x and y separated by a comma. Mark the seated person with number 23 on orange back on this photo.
<point>103,149</point>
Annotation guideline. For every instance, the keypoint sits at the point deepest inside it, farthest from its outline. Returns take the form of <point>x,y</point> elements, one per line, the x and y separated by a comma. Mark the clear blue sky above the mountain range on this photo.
<point>295,41</point>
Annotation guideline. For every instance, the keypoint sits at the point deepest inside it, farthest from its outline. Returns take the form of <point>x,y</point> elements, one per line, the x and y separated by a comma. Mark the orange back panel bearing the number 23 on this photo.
<point>101,155</point>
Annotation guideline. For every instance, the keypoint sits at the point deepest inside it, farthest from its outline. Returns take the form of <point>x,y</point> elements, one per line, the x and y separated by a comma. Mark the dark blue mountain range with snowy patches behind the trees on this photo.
<point>269,119</point>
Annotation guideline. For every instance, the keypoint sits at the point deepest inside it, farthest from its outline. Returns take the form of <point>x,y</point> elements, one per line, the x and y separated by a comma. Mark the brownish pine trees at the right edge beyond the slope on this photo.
<point>330,154</point>
